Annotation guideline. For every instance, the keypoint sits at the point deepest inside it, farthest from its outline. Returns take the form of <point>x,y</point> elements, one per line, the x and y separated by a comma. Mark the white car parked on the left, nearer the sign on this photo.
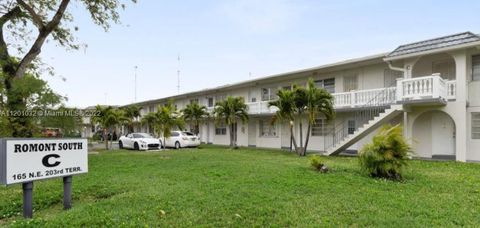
<point>139,141</point>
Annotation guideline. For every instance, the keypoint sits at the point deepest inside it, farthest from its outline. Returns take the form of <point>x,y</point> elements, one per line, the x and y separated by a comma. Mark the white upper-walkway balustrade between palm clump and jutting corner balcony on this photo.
<point>362,97</point>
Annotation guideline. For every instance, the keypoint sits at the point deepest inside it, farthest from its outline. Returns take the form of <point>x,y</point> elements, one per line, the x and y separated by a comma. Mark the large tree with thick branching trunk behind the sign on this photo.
<point>51,19</point>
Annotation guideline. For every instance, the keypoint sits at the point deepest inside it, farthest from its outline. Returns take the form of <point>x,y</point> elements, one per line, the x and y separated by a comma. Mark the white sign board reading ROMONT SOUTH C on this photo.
<point>25,160</point>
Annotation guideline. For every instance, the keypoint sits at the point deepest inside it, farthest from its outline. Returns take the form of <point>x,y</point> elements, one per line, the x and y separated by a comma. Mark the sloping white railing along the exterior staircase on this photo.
<point>365,113</point>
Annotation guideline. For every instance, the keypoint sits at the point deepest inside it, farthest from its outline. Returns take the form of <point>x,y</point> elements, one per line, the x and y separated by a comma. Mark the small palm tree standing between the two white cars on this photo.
<point>167,118</point>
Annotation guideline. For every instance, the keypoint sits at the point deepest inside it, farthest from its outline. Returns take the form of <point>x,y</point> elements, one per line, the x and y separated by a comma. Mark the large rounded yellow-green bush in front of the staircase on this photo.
<point>387,154</point>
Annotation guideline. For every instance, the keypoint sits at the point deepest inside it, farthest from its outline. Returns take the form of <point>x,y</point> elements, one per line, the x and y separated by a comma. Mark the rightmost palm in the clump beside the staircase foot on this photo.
<point>319,102</point>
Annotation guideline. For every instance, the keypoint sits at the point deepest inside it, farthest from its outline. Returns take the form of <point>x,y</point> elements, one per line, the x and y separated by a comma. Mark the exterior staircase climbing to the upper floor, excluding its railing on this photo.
<point>377,120</point>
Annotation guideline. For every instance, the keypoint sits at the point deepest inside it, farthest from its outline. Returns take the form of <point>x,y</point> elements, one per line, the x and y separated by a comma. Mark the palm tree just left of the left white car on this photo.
<point>108,119</point>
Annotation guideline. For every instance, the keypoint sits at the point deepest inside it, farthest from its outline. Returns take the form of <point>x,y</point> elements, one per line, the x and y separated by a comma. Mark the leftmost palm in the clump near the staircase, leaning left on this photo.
<point>286,111</point>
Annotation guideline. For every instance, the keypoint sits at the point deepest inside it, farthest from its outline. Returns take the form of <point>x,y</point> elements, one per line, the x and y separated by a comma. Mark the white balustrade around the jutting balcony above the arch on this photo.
<point>428,87</point>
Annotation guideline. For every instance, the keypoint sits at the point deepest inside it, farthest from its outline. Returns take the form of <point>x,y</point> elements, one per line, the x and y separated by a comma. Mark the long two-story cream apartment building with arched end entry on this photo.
<point>432,87</point>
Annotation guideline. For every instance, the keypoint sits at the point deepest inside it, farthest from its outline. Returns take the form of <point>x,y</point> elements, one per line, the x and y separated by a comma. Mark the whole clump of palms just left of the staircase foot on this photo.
<point>295,104</point>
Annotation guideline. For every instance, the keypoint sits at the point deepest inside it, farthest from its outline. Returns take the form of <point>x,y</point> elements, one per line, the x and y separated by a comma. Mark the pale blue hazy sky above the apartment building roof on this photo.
<point>223,42</point>
